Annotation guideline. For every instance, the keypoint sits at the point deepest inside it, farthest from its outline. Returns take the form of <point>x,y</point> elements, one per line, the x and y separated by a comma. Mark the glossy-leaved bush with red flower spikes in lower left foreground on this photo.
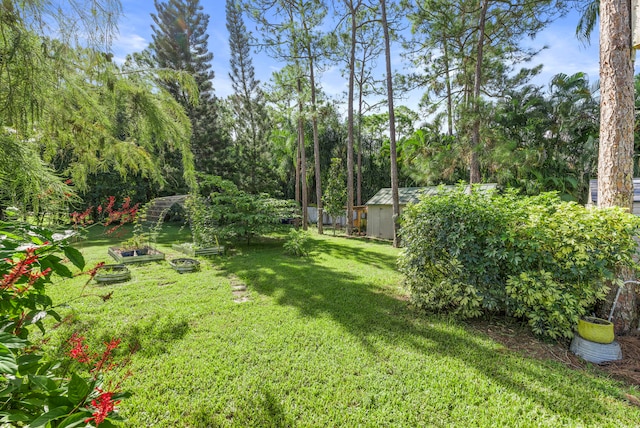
<point>36,391</point>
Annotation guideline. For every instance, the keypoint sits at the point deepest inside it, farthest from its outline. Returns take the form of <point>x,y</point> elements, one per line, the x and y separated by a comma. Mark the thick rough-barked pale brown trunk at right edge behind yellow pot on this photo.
<point>615,161</point>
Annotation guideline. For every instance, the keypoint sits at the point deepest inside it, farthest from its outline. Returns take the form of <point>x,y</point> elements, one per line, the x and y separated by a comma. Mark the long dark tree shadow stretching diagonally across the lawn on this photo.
<point>371,314</point>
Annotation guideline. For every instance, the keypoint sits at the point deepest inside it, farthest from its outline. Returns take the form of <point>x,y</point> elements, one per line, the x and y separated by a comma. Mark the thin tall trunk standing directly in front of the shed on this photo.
<point>392,128</point>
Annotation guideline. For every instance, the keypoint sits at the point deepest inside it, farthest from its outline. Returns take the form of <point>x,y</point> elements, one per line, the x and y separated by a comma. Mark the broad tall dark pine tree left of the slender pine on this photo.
<point>180,43</point>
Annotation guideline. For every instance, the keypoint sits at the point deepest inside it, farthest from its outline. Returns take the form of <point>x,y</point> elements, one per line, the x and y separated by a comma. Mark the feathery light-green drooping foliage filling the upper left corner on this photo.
<point>72,112</point>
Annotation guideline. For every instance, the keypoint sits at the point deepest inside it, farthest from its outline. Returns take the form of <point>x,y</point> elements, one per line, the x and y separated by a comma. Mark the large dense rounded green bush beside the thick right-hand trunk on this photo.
<point>533,257</point>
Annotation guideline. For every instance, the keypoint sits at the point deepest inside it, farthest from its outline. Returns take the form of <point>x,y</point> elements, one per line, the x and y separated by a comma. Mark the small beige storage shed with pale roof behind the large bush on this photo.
<point>380,207</point>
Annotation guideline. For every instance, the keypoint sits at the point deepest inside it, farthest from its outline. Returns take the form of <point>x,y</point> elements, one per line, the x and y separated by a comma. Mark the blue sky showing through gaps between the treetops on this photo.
<point>565,54</point>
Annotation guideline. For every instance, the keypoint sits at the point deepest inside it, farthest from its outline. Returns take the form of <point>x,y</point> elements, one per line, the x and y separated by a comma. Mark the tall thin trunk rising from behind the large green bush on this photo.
<point>474,163</point>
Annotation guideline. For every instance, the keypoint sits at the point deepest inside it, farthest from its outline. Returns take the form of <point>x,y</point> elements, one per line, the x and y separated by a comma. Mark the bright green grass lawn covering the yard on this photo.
<point>323,341</point>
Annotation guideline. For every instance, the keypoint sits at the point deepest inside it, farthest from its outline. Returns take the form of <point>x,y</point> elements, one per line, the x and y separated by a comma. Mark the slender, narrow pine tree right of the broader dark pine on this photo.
<point>251,125</point>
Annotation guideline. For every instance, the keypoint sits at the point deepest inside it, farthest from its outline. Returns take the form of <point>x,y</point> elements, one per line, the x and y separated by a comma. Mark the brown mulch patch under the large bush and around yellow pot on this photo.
<point>518,338</point>
